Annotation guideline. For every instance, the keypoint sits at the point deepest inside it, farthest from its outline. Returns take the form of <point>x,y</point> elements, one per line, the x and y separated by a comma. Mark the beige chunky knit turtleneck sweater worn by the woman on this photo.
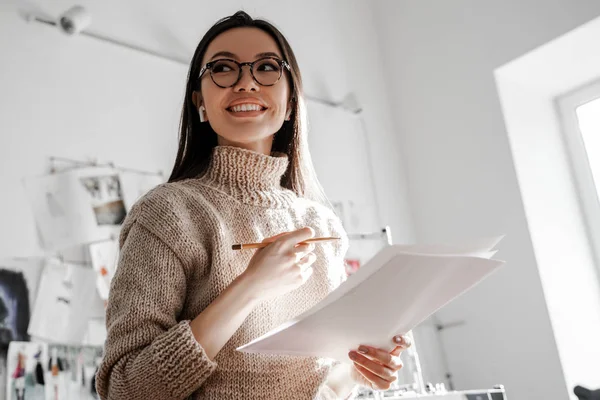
<point>176,258</point>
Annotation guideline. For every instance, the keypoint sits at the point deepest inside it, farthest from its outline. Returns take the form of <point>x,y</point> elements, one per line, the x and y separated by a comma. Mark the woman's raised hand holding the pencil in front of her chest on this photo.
<point>282,266</point>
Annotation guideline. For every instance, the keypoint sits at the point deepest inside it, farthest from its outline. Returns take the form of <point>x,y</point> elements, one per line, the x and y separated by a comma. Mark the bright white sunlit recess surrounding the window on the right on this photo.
<point>528,92</point>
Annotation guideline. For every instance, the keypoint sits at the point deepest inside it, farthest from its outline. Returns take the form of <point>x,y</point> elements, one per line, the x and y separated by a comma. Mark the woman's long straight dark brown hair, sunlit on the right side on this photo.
<point>197,140</point>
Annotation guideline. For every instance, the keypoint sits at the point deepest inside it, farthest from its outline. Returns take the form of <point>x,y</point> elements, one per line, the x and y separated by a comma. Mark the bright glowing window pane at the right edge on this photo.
<point>580,114</point>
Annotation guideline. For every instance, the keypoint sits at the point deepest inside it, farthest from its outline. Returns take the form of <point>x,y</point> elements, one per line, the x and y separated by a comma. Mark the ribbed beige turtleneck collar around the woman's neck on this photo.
<point>249,176</point>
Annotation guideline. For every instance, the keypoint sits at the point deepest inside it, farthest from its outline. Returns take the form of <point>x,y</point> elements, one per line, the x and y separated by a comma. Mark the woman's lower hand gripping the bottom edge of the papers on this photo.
<point>376,368</point>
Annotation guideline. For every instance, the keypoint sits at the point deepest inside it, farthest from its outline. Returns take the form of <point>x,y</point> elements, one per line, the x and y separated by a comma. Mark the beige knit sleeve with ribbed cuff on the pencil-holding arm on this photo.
<point>149,354</point>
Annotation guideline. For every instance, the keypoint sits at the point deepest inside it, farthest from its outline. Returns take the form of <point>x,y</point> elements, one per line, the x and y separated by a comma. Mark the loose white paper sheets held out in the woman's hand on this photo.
<point>404,287</point>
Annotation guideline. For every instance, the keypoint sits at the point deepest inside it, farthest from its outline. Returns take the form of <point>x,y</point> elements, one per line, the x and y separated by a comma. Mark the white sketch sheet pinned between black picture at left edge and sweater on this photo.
<point>66,300</point>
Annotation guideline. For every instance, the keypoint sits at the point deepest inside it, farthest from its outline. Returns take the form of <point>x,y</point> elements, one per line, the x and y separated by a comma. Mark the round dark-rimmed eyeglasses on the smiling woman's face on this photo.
<point>226,72</point>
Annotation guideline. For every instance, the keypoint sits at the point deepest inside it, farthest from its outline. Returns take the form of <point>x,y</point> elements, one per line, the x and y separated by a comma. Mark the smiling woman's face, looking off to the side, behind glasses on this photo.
<point>236,124</point>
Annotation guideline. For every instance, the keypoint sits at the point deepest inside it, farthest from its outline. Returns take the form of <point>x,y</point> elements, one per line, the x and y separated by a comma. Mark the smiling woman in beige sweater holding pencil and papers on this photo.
<point>182,301</point>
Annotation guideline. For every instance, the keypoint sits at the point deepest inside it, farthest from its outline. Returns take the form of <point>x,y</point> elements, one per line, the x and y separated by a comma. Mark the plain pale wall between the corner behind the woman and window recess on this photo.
<point>461,178</point>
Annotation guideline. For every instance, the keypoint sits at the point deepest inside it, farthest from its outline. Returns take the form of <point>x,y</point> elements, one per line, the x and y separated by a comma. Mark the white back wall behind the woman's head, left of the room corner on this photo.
<point>79,98</point>
